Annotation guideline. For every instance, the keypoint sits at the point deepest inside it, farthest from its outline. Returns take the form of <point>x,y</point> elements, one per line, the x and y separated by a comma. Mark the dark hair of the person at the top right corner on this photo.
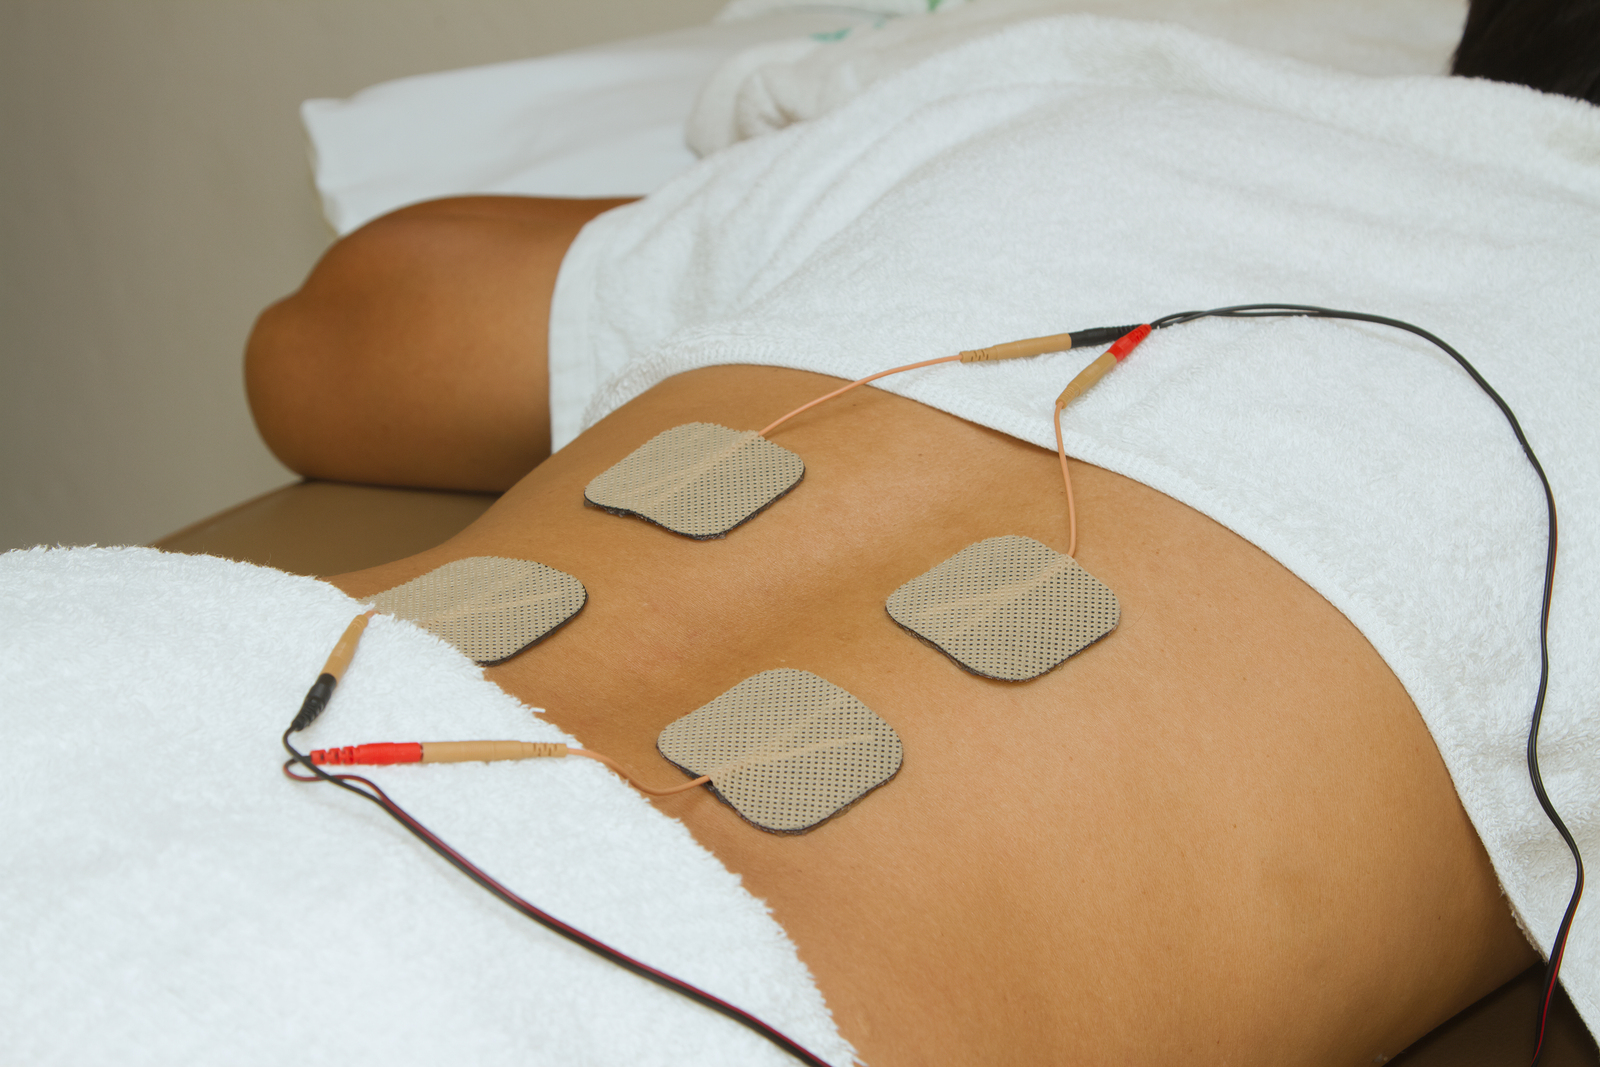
<point>1551,46</point>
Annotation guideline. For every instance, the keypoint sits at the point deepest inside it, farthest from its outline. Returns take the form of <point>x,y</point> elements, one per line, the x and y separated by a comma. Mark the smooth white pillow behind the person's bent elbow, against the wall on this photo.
<point>593,122</point>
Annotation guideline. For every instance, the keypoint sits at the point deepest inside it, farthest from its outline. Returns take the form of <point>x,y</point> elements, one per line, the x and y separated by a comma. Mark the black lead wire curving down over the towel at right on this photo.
<point>1310,311</point>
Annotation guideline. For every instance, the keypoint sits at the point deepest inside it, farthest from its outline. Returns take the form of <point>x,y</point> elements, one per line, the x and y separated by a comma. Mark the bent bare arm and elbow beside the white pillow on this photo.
<point>415,351</point>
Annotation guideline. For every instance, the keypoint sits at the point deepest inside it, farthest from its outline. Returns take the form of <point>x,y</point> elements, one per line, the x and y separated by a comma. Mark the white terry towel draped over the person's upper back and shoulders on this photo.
<point>1079,172</point>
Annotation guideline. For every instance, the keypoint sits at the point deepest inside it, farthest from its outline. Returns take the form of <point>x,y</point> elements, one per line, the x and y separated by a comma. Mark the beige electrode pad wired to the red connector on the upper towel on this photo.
<point>1007,609</point>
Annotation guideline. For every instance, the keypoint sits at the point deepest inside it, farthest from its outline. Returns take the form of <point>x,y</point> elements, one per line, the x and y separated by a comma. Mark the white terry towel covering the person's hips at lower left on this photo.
<point>170,898</point>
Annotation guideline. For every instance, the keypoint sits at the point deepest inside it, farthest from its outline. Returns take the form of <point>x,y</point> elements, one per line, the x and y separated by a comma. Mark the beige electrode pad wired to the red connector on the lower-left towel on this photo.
<point>786,749</point>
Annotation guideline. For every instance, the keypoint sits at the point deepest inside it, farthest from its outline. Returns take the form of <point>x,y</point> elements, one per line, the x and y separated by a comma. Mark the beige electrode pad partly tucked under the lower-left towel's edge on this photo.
<point>486,605</point>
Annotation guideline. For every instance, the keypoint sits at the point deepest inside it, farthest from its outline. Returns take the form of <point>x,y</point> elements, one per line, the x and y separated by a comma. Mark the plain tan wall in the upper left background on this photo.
<point>154,198</point>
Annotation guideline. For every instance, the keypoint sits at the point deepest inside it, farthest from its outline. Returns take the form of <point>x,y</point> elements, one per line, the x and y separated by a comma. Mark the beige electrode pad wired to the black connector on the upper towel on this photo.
<point>698,479</point>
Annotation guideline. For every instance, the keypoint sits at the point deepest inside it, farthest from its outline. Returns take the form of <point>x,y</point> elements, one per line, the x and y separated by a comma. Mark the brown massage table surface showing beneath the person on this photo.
<point>329,529</point>
